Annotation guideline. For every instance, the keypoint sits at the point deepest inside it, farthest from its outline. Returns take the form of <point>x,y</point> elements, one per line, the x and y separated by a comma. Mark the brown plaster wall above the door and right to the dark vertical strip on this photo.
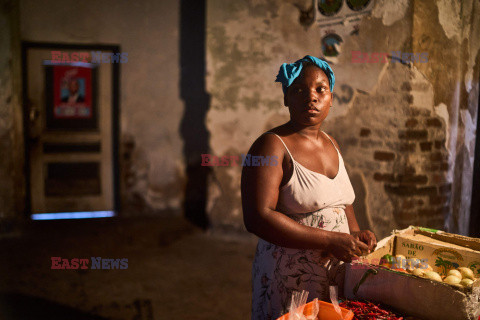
<point>152,163</point>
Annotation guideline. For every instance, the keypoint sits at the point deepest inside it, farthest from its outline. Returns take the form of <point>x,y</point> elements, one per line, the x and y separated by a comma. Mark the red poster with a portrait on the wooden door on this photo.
<point>71,96</point>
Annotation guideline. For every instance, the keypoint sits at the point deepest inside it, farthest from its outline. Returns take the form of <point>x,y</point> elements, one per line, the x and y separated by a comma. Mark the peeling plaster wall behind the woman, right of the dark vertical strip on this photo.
<point>406,131</point>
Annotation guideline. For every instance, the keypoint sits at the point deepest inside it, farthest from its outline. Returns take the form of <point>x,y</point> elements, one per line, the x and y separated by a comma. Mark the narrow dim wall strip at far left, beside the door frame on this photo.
<point>11,144</point>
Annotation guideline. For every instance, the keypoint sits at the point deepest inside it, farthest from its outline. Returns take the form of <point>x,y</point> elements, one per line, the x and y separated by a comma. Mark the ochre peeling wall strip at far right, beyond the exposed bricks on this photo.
<point>450,31</point>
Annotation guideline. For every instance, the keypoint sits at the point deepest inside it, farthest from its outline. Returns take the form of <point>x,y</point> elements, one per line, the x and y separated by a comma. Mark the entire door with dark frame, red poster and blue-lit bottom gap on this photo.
<point>71,130</point>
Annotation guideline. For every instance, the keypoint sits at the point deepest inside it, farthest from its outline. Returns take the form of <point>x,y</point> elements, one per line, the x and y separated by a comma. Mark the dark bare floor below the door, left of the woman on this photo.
<point>175,271</point>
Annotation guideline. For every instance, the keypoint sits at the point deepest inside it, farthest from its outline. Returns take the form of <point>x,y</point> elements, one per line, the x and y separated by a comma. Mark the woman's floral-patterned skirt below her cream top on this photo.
<point>277,271</point>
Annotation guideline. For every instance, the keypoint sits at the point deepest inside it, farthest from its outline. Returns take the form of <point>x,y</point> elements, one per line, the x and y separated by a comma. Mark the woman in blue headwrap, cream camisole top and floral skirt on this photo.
<point>300,209</point>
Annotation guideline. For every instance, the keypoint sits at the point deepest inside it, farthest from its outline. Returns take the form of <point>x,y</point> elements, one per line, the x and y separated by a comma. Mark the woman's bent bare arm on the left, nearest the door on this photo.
<point>260,190</point>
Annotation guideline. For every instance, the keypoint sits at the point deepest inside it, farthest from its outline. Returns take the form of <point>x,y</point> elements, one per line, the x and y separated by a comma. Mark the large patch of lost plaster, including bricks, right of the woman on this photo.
<point>393,138</point>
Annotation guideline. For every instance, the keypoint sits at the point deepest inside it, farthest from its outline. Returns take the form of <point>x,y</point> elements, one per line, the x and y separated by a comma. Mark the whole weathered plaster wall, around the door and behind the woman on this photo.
<point>418,136</point>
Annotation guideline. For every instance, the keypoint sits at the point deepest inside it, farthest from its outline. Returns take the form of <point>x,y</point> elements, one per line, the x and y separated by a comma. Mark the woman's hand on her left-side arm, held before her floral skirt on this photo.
<point>345,247</point>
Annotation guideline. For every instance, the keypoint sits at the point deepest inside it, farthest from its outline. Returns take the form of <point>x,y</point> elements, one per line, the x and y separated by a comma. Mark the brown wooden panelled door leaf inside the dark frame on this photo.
<point>70,146</point>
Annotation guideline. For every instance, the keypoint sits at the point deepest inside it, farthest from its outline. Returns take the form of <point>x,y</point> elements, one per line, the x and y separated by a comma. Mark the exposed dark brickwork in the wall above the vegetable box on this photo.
<point>418,187</point>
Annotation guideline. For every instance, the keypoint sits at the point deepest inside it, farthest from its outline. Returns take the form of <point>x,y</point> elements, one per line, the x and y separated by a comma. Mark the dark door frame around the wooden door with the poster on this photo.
<point>25,47</point>
